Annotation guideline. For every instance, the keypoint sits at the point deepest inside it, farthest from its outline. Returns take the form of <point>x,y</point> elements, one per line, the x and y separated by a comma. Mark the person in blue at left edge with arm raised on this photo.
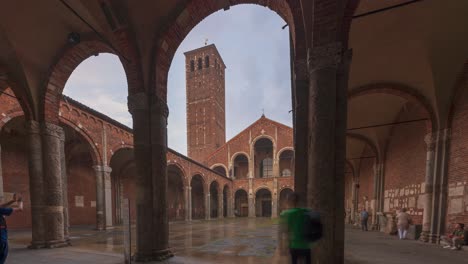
<point>7,209</point>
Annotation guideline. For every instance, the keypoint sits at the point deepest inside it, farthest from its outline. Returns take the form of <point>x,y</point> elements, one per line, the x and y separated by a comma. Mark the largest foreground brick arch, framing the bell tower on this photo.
<point>193,13</point>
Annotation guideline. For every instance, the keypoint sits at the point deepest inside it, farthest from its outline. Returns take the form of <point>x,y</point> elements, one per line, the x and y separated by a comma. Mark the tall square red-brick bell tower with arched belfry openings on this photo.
<point>206,118</point>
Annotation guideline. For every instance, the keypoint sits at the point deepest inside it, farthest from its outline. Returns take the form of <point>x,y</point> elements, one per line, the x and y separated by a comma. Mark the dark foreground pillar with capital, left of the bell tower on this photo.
<point>150,142</point>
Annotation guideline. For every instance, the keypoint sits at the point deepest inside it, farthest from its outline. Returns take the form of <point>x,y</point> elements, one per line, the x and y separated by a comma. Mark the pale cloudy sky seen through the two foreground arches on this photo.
<point>255,50</point>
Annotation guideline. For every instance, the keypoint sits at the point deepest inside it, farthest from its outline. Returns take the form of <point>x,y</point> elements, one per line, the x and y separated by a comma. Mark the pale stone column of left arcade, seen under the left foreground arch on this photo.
<point>103,197</point>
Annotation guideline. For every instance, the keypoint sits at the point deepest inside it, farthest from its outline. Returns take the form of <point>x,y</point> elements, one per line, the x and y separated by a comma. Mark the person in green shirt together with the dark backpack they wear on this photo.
<point>302,228</point>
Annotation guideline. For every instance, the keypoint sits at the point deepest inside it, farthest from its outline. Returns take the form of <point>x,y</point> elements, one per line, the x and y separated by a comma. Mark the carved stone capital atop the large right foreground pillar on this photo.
<point>327,56</point>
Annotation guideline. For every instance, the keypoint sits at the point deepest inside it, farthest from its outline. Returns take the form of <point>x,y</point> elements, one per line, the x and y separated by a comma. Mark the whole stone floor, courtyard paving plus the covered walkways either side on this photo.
<point>228,241</point>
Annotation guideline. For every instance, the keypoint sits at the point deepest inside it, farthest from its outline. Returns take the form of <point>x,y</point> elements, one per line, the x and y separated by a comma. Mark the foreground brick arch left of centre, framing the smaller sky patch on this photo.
<point>71,56</point>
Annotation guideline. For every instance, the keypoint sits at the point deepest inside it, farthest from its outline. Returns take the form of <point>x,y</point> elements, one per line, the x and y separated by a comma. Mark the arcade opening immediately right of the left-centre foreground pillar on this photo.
<point>175,193</point>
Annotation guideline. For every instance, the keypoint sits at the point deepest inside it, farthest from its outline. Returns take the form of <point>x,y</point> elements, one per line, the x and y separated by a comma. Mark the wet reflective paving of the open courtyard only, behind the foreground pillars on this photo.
<point>250,240</point>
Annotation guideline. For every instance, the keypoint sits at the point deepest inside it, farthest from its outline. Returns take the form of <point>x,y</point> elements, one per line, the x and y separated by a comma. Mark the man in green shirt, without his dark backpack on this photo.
<point>292,225</point>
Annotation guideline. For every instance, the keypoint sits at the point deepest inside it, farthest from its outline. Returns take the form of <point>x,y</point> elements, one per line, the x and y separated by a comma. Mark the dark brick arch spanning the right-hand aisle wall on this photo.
<point>401,90</point>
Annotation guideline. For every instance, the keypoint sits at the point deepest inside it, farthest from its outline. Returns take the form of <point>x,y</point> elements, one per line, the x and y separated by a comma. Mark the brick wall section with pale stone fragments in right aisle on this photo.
<point>405,164</point>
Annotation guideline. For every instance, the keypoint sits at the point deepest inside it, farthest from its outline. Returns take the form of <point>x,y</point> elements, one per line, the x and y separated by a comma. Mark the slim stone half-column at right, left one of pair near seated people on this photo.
<point>430,140</point>
